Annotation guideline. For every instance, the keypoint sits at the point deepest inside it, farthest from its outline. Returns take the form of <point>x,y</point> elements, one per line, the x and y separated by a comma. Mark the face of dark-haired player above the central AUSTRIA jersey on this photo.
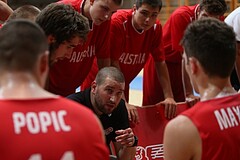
<point>145,16</point>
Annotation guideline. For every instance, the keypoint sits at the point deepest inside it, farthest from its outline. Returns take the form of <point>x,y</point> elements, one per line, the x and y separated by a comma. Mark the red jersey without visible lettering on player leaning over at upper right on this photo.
<point>174,29</point>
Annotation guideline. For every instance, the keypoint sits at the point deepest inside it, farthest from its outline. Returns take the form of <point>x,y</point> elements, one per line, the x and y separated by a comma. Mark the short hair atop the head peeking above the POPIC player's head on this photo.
<point>26,12</point>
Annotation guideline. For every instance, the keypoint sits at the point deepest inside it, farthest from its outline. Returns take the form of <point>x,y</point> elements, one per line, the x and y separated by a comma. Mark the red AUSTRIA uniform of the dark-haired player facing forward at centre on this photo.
<point>132,48</point>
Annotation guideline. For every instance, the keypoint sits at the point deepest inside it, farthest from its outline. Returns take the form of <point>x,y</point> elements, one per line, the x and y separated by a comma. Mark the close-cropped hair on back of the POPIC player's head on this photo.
<point>22,41</point>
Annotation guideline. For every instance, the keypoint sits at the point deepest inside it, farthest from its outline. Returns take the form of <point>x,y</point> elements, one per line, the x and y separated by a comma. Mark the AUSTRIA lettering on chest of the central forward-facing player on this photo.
<point>127,58</point>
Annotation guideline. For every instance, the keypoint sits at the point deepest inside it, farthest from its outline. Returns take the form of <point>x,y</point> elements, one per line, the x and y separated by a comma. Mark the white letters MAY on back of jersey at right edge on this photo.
<point>229,117</point>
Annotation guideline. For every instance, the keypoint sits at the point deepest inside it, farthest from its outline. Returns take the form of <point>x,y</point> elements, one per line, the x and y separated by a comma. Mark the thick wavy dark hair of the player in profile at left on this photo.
<point>62,22</point>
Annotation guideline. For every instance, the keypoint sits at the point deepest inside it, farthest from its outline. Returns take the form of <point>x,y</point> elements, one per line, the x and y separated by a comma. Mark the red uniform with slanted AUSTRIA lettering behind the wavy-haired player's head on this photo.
<point>66,75</point>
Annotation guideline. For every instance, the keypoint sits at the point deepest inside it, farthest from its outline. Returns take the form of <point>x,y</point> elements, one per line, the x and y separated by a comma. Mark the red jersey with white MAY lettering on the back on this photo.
<point>218,124</point>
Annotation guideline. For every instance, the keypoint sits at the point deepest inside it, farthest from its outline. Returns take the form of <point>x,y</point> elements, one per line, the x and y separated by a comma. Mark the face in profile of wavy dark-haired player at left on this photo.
<point>65,49</point>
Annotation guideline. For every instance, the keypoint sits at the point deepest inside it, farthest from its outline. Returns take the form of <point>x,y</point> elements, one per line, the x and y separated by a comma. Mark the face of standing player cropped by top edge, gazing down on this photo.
<point>102,10</point>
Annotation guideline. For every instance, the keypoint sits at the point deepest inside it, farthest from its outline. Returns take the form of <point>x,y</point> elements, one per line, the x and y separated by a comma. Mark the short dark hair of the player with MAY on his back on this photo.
<point>213,44</point>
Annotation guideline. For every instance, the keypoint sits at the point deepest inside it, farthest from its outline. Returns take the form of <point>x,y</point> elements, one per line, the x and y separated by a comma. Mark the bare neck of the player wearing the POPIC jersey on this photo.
<point>21,86</point>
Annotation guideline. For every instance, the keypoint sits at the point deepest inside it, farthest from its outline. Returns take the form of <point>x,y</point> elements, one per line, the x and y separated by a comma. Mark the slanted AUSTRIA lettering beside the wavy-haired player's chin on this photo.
<point>79,56</point>
